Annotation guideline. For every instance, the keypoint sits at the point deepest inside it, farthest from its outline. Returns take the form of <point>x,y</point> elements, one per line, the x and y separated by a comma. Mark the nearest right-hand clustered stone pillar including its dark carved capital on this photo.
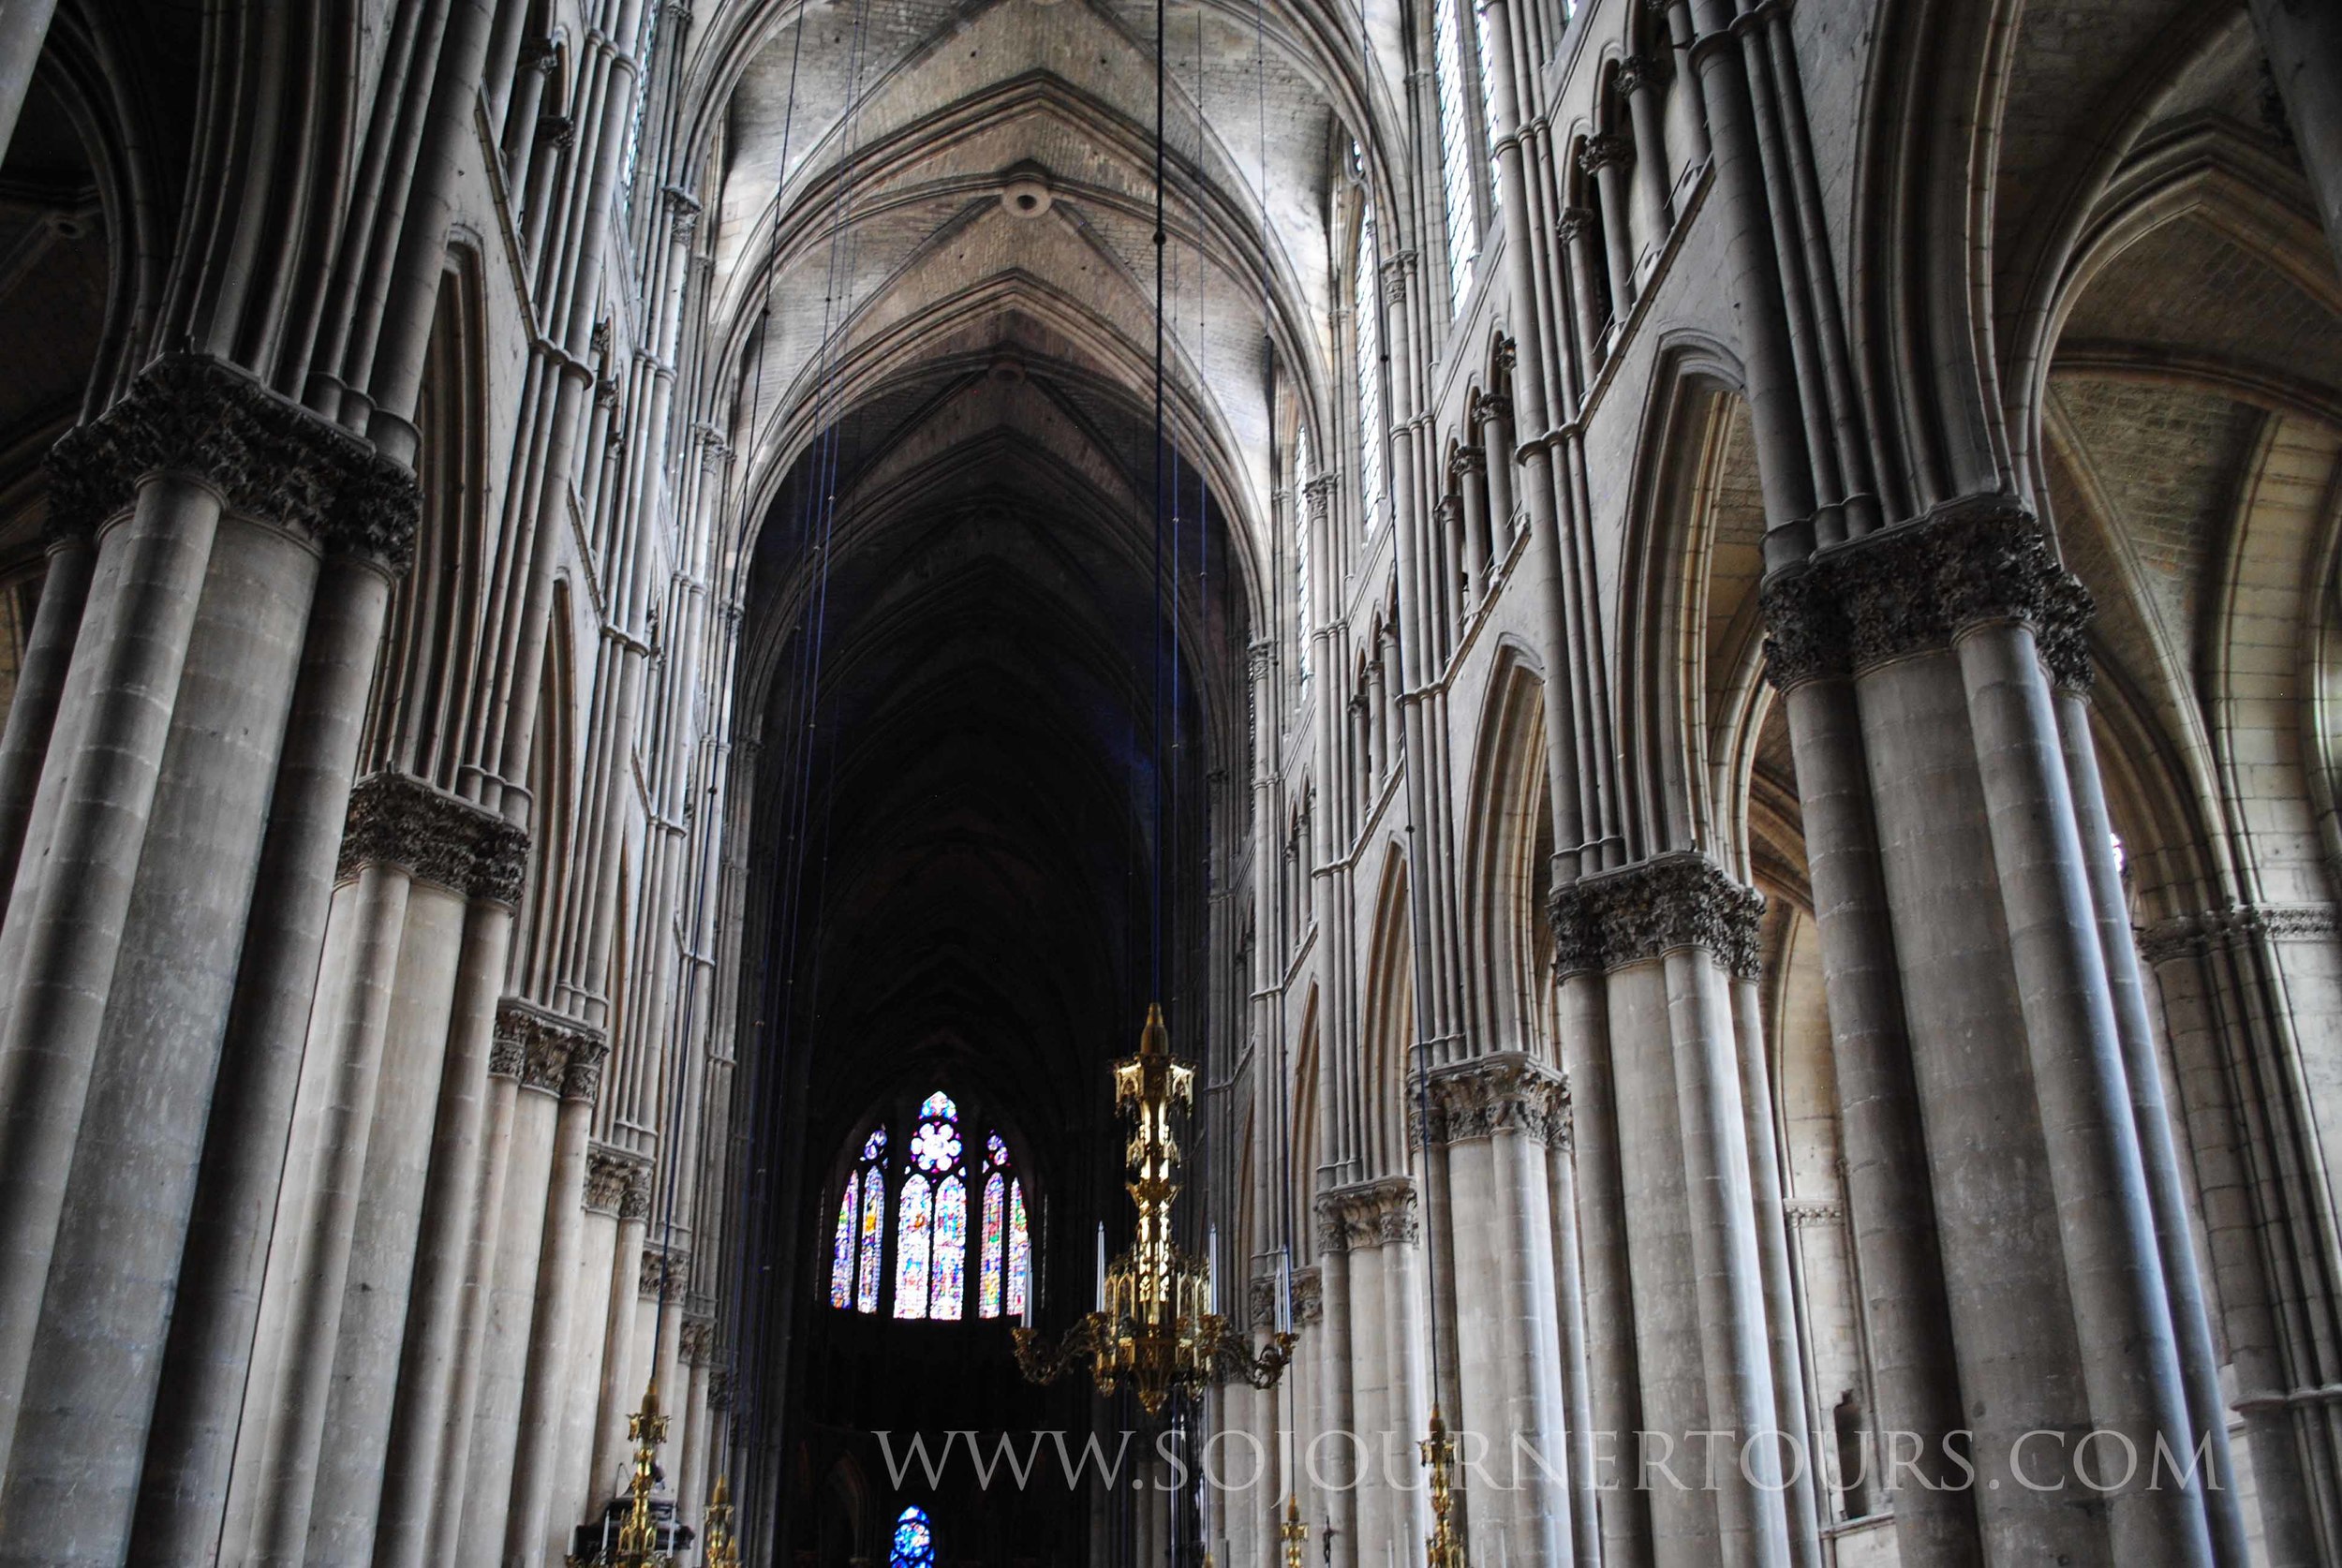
<point>2013,1026</point>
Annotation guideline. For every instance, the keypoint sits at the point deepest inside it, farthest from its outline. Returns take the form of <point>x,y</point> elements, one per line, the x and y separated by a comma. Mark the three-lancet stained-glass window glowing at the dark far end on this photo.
<point>919,1246</point>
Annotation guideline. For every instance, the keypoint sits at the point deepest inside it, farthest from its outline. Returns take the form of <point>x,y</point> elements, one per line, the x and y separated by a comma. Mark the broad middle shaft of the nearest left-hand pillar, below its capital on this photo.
<point>97,1356</point>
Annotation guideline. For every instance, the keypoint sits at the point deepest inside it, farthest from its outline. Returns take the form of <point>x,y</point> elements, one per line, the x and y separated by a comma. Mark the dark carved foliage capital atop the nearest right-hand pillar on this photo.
<point>1922,584</point>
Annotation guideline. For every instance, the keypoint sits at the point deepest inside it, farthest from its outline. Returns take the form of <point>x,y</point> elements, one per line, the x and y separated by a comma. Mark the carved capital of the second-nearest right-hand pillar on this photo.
<point>1643,912</point>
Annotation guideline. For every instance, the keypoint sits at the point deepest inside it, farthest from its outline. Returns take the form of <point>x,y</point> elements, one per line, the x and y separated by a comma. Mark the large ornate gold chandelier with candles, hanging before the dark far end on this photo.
<point>1156,1326</point>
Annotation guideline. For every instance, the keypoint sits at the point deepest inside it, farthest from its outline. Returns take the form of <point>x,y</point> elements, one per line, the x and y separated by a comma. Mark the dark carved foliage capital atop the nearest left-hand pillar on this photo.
<point>266,455</point>
